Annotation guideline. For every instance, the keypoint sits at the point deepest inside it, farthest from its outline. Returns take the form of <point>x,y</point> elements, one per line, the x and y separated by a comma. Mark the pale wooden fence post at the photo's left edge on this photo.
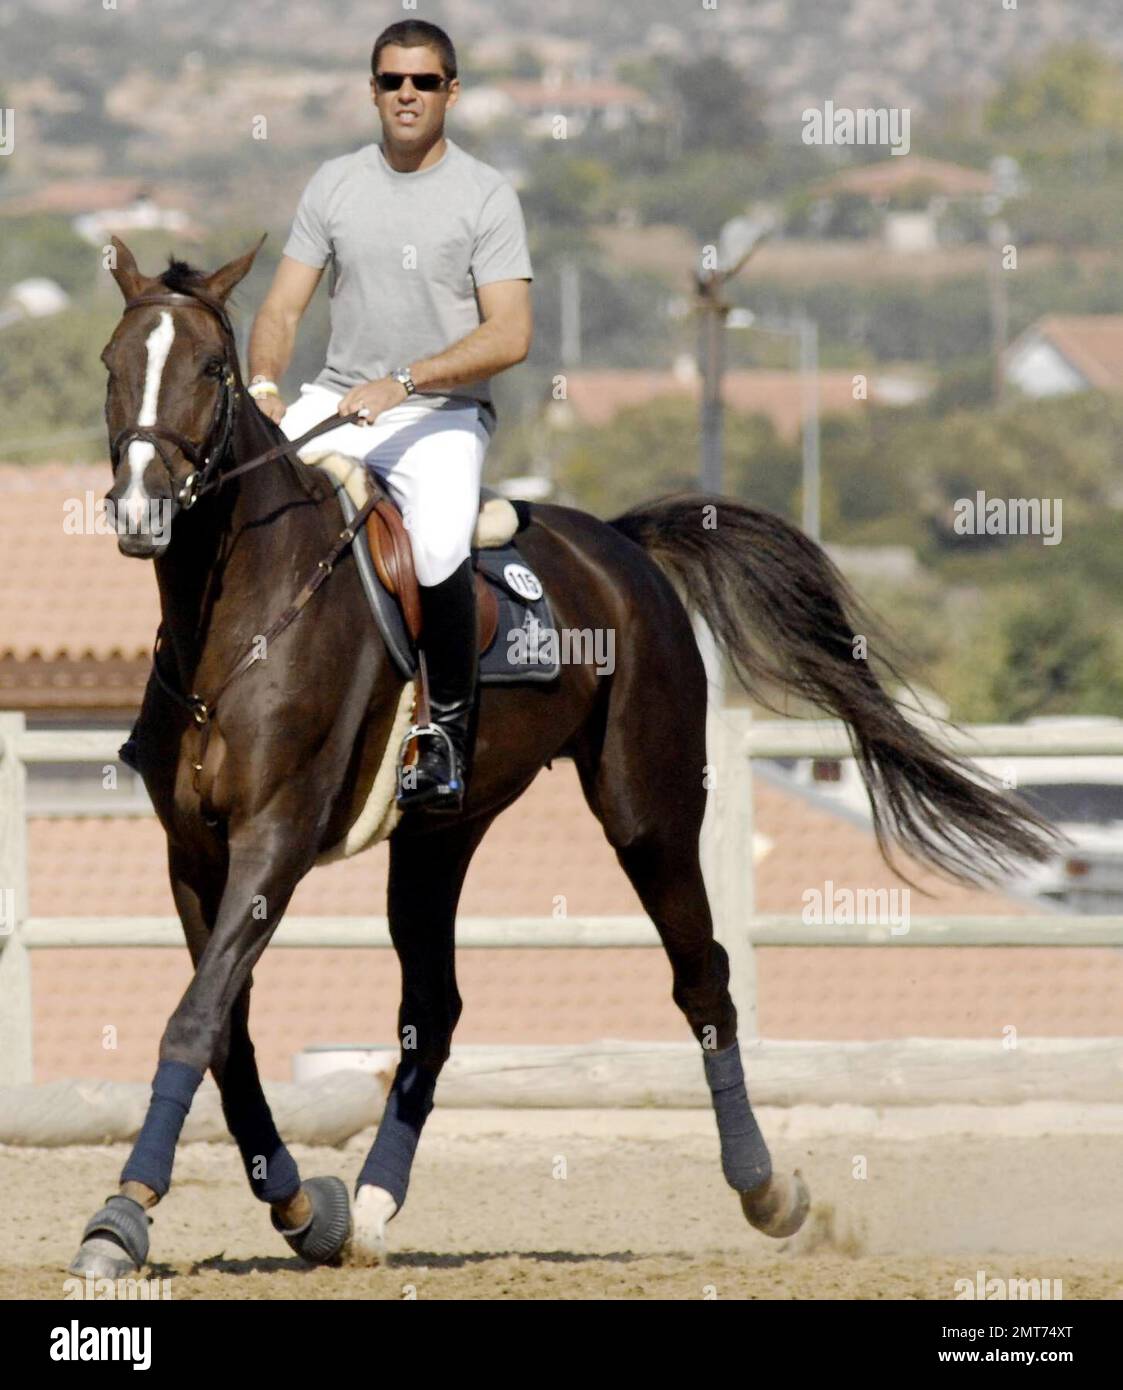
<point>16,1017</point>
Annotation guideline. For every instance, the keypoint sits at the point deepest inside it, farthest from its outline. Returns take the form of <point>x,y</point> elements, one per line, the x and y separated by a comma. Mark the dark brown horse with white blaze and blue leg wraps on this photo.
<point>251,789</point>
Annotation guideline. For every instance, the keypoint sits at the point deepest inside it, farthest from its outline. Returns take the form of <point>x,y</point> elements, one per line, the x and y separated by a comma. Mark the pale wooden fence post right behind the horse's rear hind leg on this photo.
<point>728,854</point>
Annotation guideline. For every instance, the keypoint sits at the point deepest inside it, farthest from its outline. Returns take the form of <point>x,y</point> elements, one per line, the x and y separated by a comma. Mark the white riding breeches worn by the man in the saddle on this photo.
<point>430,461</point>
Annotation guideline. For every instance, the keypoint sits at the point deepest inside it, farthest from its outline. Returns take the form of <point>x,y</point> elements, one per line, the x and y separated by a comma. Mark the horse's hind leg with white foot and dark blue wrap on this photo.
<point>427,872</point>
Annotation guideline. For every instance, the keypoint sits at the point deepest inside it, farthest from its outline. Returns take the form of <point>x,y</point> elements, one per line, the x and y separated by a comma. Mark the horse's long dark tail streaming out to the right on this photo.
<point>786,621</point>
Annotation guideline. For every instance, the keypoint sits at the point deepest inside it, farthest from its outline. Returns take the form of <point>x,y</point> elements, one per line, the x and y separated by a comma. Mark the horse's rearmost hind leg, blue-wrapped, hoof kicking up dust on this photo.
<point>651,807</point>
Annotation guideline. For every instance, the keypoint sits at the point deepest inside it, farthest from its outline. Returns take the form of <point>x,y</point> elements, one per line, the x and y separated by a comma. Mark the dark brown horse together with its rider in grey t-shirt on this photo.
<point>261,755</point>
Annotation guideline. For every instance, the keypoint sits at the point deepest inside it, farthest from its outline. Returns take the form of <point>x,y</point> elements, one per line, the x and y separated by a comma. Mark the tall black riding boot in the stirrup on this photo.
<point>438,780</point>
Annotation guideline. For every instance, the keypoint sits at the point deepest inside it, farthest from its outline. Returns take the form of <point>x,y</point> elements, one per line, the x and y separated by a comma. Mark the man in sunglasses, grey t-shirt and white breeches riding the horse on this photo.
<point>430,298</point>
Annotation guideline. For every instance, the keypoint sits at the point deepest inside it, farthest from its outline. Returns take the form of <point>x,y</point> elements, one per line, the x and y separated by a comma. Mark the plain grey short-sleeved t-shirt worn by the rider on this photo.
<point>408,254</point>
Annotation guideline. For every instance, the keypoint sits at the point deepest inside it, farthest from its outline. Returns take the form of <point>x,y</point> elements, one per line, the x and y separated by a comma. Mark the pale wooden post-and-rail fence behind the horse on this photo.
<point>733,742</point>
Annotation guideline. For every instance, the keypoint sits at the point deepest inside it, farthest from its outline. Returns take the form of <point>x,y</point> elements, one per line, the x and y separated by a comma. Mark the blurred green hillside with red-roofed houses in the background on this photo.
<point>967,295</point>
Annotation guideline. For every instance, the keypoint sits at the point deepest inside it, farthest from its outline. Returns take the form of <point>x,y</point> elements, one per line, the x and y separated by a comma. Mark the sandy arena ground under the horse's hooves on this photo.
<point>641,1213</point>
